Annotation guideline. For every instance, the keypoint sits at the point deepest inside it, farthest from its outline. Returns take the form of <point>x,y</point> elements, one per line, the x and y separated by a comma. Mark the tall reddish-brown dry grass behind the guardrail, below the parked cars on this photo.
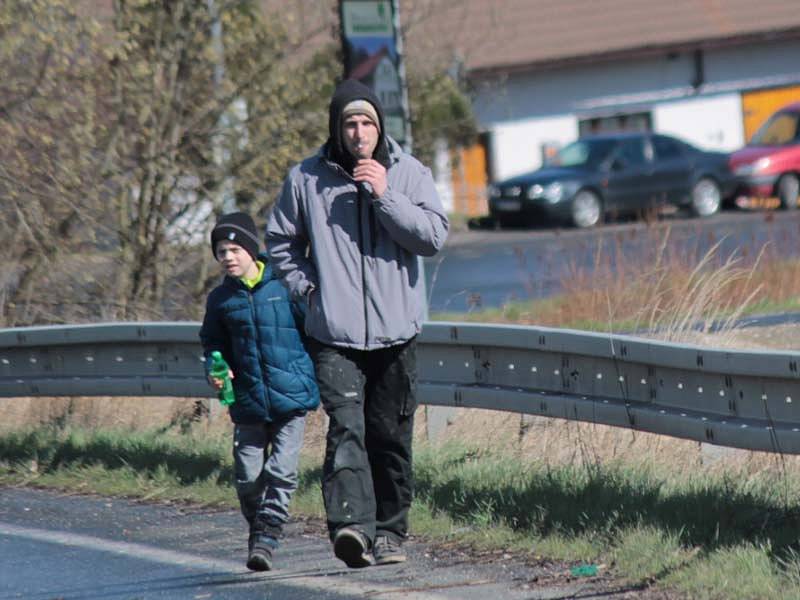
<point>667,286</point>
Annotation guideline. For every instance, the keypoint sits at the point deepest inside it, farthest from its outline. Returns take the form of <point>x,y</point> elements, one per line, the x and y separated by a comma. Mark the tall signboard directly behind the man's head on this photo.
<point>371,55</point>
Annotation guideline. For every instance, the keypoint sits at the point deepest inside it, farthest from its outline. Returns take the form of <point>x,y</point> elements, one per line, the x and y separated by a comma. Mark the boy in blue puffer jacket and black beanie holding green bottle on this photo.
<point>251,321</point>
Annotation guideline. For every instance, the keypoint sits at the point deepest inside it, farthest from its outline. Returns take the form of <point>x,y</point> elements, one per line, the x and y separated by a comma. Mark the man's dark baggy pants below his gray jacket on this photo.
<point>370,399</point>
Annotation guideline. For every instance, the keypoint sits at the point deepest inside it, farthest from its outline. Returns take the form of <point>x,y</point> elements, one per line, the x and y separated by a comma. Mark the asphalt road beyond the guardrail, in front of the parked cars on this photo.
<point>479,269</point>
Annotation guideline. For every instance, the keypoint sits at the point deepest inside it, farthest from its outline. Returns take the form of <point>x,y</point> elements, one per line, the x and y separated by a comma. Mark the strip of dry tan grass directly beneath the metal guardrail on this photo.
<point>553,441</point>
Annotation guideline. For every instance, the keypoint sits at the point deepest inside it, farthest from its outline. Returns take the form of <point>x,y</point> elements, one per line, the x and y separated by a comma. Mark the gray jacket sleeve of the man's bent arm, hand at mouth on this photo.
<point>416,221</point>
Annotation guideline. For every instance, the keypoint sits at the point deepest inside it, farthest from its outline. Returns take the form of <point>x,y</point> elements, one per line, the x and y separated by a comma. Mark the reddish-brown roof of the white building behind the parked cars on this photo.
<point>509,35</point>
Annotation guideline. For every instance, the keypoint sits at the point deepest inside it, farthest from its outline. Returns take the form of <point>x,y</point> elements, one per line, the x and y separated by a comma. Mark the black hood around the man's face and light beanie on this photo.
<point>347,91</point>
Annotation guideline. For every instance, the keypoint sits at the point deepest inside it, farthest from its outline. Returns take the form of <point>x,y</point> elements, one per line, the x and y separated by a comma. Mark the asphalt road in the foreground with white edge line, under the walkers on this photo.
<point>68,547</point>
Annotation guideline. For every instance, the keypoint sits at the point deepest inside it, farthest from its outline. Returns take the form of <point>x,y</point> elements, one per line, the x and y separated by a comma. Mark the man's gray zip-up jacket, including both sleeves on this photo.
<point>355,257</point>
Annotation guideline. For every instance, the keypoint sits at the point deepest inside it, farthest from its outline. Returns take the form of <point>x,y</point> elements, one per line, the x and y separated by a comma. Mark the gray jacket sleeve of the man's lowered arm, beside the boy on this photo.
<point>287,242</point>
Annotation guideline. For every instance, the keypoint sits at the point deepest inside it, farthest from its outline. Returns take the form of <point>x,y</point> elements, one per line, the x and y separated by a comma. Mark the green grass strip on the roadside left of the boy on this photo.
<point>152,465</point>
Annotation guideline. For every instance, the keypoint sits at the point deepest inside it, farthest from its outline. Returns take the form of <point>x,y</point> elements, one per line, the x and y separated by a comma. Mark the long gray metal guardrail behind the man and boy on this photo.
<point>743,399</point>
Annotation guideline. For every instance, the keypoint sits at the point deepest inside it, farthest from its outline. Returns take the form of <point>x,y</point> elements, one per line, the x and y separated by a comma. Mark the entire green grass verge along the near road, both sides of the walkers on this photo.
<point>711,536</point>
